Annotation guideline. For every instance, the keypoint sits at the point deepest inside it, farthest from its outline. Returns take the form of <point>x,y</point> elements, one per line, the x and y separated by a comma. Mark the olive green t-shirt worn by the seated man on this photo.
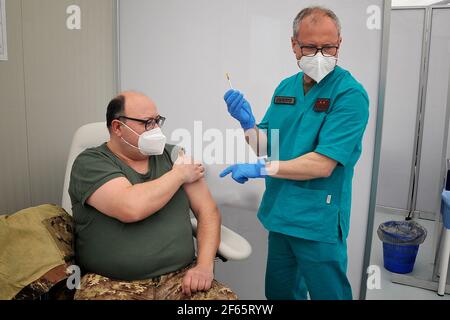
<point>159,244</point>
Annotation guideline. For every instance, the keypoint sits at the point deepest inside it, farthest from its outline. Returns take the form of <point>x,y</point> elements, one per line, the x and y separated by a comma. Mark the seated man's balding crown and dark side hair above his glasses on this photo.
<point>130,104</point>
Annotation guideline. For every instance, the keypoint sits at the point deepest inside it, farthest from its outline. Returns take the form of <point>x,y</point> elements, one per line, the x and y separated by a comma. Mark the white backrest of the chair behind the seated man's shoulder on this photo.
<point>88,136</point>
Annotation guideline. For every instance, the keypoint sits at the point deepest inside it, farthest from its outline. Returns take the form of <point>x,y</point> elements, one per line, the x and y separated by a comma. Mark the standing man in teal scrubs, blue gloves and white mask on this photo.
<point>320,115</point>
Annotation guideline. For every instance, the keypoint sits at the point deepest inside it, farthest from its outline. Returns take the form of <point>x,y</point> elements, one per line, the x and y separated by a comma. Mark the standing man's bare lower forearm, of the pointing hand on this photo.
<point>308,167</point>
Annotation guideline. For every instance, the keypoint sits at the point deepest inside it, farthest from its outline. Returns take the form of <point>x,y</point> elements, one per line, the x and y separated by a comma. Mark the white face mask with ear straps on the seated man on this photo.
<point>151,143</point>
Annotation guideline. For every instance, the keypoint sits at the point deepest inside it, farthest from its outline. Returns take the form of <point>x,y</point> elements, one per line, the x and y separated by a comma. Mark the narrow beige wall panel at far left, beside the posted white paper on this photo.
<point>15,179</point>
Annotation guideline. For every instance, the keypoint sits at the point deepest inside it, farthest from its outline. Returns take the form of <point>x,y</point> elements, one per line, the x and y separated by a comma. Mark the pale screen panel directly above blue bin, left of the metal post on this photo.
<point>401,108</point>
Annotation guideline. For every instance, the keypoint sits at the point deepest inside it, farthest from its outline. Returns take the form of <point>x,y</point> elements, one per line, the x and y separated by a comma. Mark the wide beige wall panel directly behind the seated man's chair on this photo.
<point>69,82</point>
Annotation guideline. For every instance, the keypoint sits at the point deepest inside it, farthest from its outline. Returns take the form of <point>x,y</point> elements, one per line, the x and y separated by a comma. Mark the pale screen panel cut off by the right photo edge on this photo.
<point>430,177</point>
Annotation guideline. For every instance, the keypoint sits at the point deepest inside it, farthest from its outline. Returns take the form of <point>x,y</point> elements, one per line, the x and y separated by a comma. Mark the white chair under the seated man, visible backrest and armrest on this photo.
<point>232,246</point>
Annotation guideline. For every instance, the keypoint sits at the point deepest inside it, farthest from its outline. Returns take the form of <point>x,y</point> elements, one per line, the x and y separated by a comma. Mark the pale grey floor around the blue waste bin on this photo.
<point>423,267</point>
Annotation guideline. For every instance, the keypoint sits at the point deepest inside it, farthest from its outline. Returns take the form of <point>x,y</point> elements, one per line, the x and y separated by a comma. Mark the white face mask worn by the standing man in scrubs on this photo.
<point>317,67</point>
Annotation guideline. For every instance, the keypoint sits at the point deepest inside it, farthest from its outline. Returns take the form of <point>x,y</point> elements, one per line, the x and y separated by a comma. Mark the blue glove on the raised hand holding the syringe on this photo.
<point>240,109</point>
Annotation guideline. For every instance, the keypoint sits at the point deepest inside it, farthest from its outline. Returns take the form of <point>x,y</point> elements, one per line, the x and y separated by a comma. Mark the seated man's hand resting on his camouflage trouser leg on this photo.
<point>197,279</point>
